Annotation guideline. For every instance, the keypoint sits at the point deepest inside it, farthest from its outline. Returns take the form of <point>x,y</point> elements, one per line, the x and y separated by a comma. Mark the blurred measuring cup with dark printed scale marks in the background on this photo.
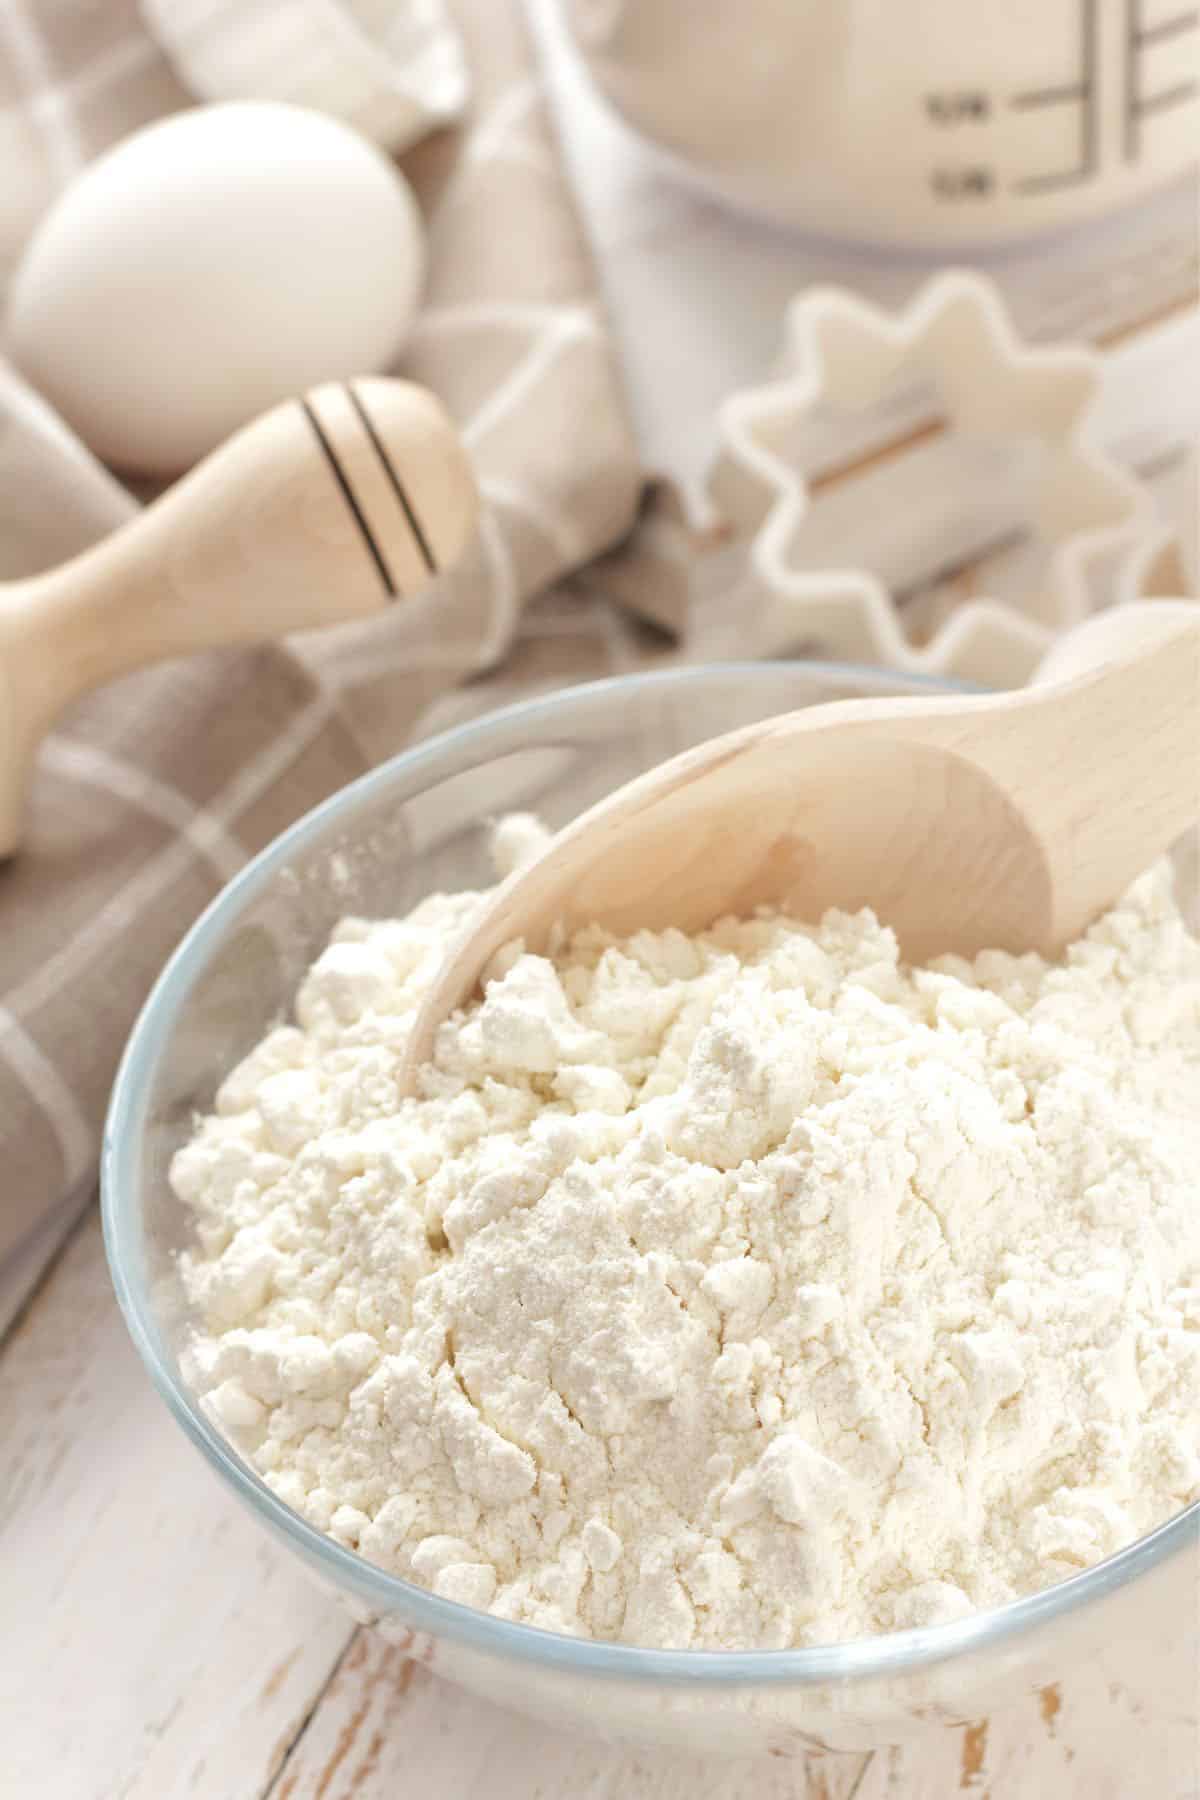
<point>911,121</point>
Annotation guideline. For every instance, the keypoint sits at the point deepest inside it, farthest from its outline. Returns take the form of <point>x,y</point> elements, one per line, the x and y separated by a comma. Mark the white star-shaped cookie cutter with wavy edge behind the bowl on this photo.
<point>848,355</point>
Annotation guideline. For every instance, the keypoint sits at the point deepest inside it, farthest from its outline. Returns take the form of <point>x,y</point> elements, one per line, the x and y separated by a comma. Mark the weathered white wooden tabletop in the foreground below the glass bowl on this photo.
<point>157,1646</point>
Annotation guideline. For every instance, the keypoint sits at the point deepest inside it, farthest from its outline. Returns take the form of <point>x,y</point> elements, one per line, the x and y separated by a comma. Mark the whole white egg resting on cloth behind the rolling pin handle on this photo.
<point>208,267</point>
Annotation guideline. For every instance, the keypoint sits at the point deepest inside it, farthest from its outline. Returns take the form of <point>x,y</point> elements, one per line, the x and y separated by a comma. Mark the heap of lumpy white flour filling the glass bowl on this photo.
<point>724,1291</point>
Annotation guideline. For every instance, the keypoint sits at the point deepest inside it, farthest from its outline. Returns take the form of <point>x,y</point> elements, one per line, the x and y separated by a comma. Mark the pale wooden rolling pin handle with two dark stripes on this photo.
<point>325,510</point>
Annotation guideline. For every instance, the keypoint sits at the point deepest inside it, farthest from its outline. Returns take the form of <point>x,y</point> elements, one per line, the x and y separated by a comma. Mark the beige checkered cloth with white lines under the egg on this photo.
<point>159,787</point>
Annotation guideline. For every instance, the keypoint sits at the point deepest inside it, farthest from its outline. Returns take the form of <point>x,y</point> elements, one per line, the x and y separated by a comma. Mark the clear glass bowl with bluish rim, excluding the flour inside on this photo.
<point>416,825</point>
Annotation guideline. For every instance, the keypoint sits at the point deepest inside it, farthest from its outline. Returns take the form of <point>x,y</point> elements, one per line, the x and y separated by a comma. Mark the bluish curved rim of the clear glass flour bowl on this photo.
<point>857,1660</point>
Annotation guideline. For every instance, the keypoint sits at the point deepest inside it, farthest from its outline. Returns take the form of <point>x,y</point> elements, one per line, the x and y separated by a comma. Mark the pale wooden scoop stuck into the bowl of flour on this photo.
<point>965,823</point>
